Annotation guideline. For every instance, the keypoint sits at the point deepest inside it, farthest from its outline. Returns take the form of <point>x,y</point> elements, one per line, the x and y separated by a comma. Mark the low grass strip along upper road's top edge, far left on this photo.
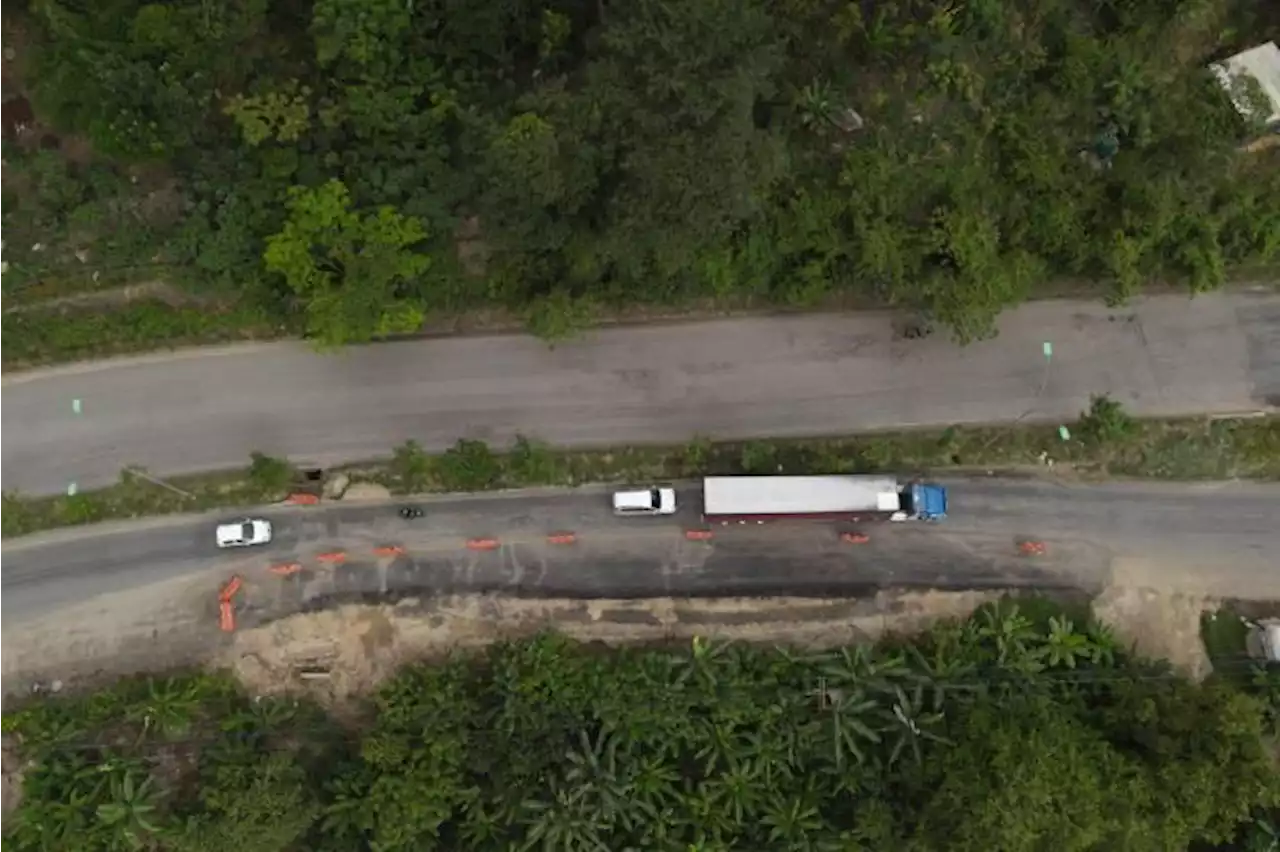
<point>33,338</point>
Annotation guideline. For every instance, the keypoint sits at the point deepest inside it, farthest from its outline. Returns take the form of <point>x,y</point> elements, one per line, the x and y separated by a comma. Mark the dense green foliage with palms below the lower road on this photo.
<point>1016,731</point>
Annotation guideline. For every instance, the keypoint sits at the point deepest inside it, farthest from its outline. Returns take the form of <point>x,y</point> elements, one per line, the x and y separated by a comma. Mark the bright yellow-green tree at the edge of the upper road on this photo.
<point>351,271</point>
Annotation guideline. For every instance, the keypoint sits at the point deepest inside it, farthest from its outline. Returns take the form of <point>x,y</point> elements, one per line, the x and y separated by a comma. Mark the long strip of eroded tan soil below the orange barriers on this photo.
<point>342,653</point>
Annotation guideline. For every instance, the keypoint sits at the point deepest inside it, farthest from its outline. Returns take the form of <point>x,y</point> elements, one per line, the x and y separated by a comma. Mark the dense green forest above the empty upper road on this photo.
<point>368,163</point>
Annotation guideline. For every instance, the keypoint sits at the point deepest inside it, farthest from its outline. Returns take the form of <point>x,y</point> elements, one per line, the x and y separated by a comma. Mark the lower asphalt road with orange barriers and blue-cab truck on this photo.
<point>1173,537</point>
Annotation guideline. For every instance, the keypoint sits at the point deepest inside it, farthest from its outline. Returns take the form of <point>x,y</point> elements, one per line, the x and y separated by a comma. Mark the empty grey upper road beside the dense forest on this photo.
<point>746,378</point>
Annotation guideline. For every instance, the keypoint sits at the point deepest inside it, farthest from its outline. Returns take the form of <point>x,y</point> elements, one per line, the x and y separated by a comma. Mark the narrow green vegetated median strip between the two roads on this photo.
<point>1105,442</point>
